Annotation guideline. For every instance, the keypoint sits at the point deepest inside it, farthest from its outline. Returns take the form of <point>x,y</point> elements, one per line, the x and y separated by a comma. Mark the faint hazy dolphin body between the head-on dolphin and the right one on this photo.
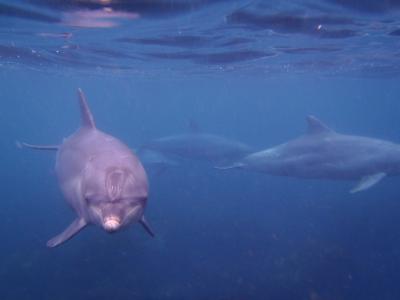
<point>200,146</point>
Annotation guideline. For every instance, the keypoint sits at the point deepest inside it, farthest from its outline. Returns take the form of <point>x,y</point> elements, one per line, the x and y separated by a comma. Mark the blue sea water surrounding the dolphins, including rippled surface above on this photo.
<point>247,70</point>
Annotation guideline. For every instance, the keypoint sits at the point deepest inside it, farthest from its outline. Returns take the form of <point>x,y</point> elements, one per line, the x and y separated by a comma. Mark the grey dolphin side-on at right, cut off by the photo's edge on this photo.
<point>325,154</point>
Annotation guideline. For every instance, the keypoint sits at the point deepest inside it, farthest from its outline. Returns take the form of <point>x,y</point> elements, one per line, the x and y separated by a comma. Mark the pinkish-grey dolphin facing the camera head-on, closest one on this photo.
<point>101,179</point>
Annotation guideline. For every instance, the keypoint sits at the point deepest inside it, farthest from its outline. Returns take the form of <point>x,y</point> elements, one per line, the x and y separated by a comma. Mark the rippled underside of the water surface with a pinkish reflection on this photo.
<point>153,37</point>
